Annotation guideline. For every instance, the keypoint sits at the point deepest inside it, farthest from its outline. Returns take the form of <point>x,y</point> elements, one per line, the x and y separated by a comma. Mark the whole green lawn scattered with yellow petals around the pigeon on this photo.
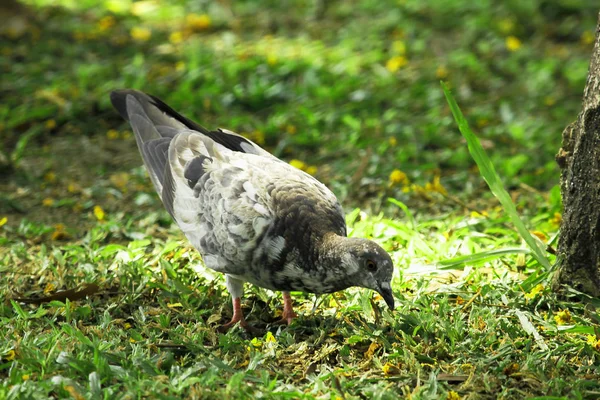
<point>476,316</point>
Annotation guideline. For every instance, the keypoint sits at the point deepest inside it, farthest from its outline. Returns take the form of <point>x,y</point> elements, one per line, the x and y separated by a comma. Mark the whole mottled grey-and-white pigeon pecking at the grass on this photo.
<point>250,215</point>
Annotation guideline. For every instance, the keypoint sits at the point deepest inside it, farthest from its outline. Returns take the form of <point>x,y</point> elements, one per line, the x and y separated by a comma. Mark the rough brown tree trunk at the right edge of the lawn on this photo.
<point>579,160</point>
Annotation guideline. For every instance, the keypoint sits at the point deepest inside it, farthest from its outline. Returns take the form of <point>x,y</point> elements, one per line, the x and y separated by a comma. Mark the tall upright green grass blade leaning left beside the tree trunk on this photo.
<point>489,174</point>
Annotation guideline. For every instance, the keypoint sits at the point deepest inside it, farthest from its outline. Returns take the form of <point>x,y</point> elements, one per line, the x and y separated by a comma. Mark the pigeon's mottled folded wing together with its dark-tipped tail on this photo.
<point>202,177</point>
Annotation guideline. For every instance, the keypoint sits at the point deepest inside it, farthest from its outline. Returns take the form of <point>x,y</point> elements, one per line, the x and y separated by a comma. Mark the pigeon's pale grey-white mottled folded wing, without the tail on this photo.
<point>219,199</point>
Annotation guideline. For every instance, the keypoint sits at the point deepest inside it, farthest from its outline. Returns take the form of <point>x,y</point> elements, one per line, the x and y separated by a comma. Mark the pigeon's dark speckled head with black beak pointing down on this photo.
<point>373,266</point>
